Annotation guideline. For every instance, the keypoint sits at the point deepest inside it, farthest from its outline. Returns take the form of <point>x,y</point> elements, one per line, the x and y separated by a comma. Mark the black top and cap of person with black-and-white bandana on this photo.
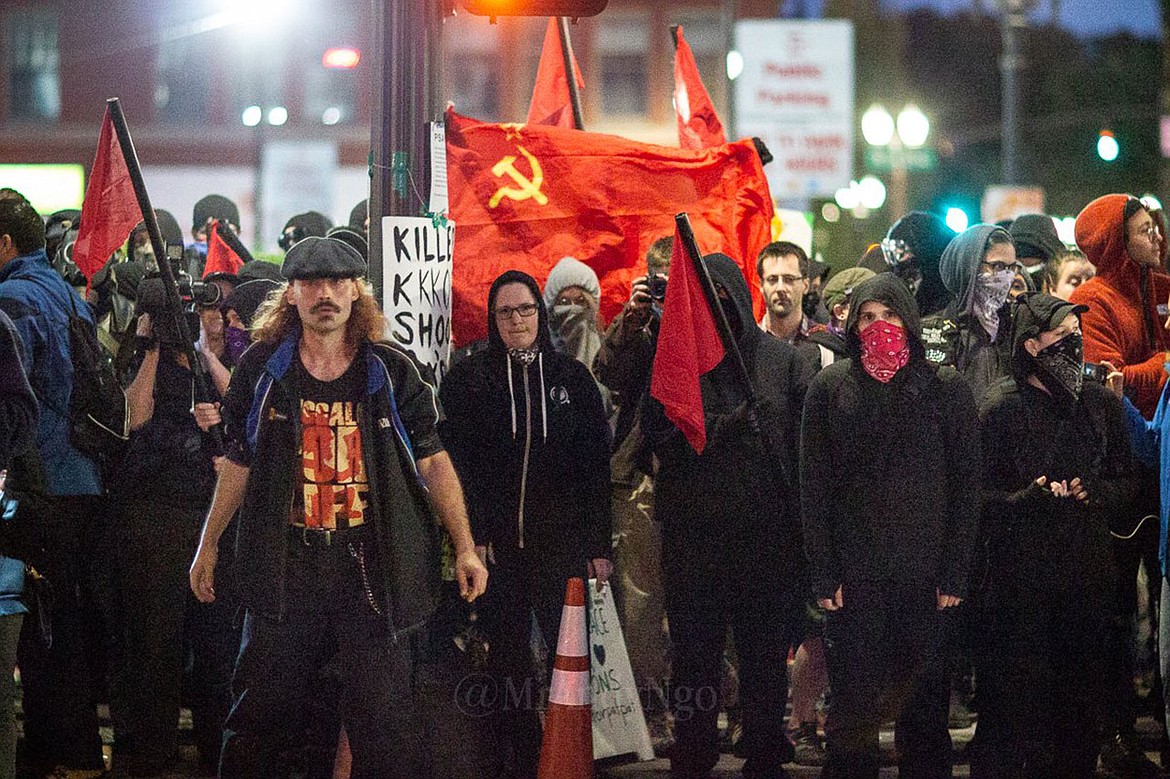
<point>1029,433</point>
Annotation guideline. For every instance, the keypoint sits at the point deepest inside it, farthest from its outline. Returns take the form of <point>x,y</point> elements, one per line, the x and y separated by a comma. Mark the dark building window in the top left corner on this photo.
<point>35,78</point>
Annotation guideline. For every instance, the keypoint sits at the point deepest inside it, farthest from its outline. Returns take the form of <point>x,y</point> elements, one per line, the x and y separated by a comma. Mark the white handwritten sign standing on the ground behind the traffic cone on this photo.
<point>620,725</point>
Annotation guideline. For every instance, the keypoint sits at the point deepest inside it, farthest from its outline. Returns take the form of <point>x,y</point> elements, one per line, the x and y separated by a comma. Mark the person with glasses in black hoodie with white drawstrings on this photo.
<point>528,436</point>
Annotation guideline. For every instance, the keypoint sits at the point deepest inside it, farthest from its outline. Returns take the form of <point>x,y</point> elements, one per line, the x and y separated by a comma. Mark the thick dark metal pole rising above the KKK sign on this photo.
<point>408,40</point>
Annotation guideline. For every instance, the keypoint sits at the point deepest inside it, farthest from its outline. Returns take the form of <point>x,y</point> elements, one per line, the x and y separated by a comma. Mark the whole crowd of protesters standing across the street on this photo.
<point>932,501</point>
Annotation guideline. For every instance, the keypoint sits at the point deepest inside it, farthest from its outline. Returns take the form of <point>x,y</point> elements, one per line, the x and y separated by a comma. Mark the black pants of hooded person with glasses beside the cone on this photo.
<point>524,583</point>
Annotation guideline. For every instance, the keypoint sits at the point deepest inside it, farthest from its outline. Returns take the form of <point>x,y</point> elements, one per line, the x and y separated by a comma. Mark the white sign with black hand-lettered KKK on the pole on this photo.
<point>416,289</point>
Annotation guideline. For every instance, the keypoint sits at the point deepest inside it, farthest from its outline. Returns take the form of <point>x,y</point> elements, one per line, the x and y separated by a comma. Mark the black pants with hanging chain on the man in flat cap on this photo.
<point>328,612</point>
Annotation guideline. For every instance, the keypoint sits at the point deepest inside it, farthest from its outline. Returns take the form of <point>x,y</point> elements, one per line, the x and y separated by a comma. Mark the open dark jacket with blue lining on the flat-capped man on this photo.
<point>397,419</point>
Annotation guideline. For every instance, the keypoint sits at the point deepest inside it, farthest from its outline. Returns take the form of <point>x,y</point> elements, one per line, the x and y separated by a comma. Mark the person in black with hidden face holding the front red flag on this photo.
<point>732,554</point>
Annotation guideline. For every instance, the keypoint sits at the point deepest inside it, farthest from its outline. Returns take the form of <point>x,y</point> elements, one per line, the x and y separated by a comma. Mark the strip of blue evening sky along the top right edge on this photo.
<point>1086,18</point>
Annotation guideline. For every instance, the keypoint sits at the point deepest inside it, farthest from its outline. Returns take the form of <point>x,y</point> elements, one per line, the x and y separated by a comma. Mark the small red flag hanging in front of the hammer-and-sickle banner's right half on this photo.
<point>689,347</point>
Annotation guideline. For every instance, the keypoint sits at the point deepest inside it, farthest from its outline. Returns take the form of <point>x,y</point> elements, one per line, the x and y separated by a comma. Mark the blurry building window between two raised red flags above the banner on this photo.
<point>622,52</point>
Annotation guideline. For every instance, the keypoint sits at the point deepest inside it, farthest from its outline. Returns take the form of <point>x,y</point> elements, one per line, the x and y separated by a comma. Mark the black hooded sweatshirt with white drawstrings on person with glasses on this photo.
<point>531,444</point>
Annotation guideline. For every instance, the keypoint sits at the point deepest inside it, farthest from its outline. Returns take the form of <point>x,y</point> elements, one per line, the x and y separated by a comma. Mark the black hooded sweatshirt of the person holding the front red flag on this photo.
<point>734,509</point>
